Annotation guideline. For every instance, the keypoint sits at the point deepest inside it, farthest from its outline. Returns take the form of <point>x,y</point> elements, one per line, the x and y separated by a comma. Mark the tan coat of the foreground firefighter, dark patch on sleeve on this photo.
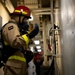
<point>16,64</point>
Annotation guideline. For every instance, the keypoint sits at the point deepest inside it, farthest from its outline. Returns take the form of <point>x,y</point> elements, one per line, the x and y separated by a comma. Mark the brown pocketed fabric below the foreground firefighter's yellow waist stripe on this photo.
<point>15,67</point>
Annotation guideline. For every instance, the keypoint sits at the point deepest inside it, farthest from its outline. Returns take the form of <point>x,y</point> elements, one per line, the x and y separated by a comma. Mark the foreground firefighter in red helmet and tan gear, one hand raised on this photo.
<point>16,38</point>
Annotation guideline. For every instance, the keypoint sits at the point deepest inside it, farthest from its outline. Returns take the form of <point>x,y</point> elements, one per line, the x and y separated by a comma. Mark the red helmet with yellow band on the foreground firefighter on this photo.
<point>22,10</point>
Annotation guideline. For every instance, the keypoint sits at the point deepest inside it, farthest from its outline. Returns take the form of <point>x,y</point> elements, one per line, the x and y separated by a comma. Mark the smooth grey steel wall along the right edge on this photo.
<point>68,36</point>
